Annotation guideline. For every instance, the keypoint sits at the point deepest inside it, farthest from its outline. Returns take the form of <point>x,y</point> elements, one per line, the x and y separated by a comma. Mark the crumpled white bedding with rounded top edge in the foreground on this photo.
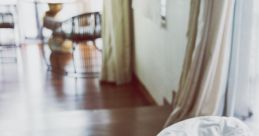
<point>208,126</point>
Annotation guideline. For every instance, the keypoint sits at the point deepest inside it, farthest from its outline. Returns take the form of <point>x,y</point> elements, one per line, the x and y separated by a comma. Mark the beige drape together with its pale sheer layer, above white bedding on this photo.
<point>215,78</point>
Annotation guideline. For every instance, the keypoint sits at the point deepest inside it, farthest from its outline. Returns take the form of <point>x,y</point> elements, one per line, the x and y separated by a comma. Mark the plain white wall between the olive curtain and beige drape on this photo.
<point>159,51</point>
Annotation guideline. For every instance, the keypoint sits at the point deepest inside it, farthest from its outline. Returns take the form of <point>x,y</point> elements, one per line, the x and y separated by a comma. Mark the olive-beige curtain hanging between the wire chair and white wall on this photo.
<point>116,41</point>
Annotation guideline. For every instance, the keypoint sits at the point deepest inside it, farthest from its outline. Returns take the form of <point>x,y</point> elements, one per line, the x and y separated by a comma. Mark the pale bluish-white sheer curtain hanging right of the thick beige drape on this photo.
<point>239,91</point>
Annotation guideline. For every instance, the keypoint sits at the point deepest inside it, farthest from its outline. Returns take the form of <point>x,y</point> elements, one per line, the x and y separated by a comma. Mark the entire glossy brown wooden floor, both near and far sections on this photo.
<point>35,102</point>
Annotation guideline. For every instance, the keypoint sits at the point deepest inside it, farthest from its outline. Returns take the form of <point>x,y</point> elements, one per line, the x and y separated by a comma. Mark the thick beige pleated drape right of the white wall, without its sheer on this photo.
<point>204,77</point>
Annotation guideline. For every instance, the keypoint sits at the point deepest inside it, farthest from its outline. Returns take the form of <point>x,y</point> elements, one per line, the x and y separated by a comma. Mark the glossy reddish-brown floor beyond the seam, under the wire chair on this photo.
<point>31,83</point>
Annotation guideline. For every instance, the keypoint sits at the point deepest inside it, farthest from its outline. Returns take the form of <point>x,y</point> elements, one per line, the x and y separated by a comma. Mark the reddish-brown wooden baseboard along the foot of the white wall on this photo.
<point>144,91</point>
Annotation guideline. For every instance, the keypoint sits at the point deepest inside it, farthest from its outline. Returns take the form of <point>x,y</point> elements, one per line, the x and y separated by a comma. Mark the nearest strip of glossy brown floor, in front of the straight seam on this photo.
<point>144,121</point>
